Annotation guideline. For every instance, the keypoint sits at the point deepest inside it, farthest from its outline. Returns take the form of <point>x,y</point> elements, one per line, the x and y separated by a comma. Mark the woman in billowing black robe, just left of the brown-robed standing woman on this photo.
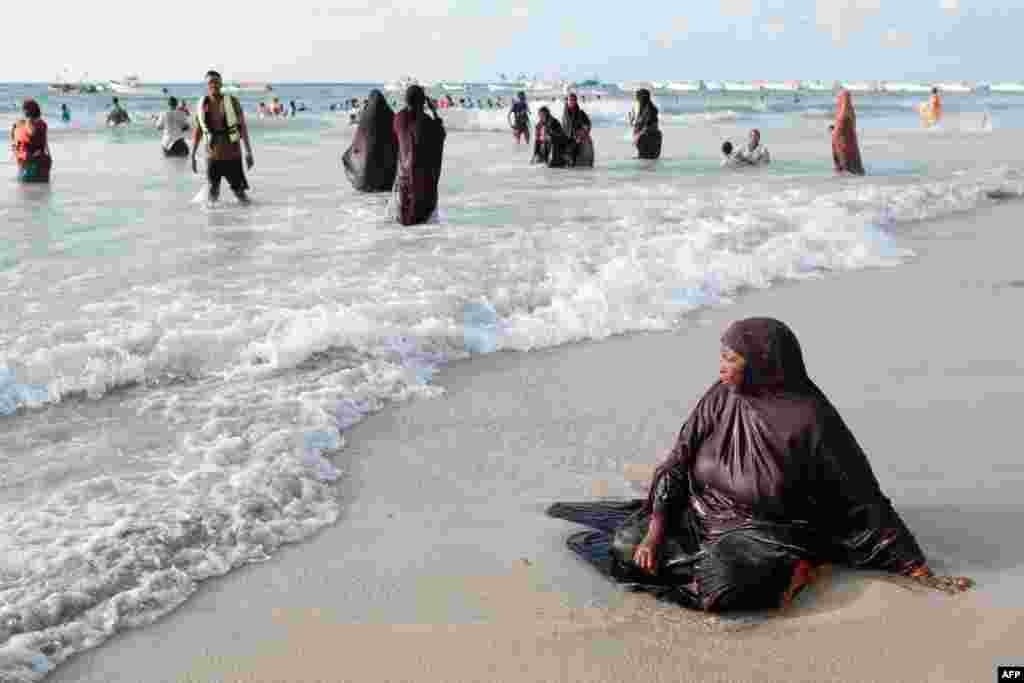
<point>372,160</point>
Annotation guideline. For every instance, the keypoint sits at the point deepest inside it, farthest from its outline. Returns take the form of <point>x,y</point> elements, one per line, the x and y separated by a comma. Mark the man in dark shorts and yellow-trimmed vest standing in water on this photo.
<point>222,121</point>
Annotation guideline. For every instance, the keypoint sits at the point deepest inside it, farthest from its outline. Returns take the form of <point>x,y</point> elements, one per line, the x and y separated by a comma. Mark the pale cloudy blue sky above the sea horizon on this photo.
<point>381,40</point>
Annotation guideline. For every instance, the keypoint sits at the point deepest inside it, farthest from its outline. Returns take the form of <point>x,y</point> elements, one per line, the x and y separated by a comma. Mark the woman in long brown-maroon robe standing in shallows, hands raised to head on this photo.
<point>421,148</point>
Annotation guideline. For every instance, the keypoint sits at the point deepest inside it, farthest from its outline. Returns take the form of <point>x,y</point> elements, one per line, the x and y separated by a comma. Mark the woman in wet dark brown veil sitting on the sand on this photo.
<point>765,484</point>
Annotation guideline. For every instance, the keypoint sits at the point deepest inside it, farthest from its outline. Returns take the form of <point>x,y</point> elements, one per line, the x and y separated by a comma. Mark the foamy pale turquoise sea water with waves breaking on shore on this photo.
<point>178,382</point>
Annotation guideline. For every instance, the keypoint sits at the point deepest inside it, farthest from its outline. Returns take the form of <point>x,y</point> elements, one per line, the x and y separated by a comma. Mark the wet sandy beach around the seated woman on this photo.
<point>445,569</point>
